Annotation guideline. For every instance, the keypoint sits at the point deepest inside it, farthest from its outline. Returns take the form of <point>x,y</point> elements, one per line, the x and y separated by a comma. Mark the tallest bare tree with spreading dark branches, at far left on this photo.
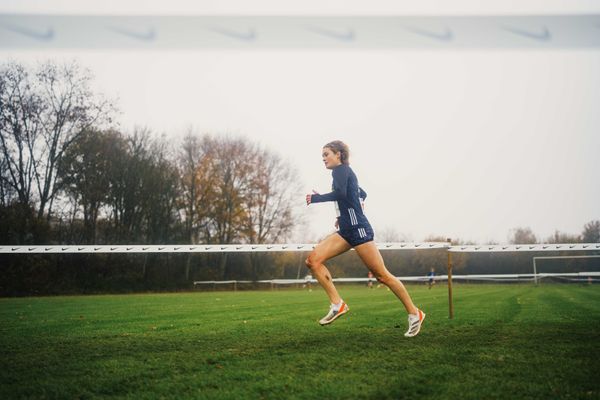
<point>41,115</point>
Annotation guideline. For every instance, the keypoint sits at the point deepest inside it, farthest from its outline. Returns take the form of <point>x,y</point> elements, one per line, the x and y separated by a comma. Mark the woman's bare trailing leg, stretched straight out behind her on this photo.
<point>371,257</point>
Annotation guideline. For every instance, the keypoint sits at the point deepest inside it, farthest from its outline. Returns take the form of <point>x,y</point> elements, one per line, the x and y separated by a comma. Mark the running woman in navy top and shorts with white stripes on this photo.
<point>353,231</point>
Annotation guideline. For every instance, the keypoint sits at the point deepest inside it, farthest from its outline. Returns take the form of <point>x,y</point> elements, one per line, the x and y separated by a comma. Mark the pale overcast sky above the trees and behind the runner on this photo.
<point>465,144</point>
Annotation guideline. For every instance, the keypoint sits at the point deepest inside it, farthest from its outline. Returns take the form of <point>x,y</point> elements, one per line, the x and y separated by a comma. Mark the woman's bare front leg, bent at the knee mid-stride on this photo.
<point>329,247</point>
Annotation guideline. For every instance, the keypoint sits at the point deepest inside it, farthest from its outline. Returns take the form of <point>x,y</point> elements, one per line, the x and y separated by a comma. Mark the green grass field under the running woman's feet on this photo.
<point>506,341</point>
